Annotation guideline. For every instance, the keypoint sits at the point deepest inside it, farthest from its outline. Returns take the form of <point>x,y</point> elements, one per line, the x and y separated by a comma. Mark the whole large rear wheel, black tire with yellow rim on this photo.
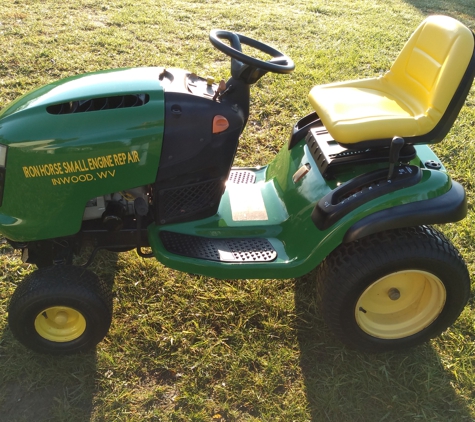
<point>394,289</point>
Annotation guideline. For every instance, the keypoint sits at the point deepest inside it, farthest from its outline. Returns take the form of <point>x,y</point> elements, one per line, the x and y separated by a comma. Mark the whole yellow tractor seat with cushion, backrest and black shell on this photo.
<point>418,99</point>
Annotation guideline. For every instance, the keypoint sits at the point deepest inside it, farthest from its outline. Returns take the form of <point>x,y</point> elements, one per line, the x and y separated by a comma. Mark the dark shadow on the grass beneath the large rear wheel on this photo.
<point>345,385</point>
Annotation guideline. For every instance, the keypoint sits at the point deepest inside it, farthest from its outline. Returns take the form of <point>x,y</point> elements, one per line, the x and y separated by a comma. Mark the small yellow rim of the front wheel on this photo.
<point>60,324</point>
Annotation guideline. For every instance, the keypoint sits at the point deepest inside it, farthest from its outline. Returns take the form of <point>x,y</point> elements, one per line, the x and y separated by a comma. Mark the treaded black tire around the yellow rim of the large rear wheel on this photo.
<point>351,262</point>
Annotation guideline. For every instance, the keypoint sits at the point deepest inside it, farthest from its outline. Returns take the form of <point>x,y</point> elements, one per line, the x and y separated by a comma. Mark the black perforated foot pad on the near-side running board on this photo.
<point>222,250</point>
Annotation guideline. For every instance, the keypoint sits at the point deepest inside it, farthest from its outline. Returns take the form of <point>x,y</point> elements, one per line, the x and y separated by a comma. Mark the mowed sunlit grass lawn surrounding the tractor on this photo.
<point>189,348</point>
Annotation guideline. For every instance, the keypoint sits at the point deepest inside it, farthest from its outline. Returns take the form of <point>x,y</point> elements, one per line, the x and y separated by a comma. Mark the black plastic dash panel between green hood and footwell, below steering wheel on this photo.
<point>195,162</point>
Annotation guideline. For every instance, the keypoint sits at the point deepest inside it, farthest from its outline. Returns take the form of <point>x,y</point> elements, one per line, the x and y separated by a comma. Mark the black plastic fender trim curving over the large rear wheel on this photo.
<point>447,208</point>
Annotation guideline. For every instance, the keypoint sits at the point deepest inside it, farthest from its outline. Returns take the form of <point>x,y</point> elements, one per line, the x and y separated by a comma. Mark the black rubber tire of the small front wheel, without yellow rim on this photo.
<point>67,286</point>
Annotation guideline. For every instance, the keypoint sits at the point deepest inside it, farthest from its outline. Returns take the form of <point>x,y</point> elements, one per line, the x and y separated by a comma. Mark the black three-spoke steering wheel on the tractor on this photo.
<point>280,63</point>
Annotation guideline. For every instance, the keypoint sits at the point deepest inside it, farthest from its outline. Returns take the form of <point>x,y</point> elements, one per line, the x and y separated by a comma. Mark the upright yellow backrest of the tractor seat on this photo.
<point>430,69</point>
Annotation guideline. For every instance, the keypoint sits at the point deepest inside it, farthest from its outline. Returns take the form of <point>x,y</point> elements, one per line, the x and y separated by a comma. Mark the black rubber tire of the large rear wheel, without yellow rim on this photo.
<point>347,273</point>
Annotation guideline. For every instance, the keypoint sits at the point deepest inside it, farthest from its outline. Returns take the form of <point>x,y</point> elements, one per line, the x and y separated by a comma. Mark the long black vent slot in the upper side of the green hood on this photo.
<point>97,104</point>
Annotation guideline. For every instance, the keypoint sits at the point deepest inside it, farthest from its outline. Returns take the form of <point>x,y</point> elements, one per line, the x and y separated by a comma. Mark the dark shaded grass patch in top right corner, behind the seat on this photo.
<point>463,10</point>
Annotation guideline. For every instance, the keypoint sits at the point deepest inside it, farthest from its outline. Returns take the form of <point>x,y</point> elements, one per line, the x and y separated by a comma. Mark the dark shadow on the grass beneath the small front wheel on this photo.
<point>35,387</point>
